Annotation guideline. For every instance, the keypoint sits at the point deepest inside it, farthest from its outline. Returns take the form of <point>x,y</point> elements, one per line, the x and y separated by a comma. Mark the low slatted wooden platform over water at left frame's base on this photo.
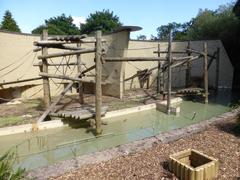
<point>79,113</point>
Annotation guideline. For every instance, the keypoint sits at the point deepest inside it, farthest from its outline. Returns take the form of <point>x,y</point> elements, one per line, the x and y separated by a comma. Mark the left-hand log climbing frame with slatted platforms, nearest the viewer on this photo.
<point>61,42</point>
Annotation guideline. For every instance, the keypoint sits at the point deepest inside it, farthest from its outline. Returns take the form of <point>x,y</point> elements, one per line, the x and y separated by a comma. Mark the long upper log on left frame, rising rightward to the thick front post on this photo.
<point>53,55</point>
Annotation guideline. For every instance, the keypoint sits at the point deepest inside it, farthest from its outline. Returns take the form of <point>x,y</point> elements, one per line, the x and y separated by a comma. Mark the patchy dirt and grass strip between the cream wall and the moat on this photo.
<point>28,111</point>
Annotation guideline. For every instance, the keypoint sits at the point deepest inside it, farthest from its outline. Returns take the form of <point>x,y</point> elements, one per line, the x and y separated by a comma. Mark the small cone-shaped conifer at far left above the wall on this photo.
<point>8,23</point>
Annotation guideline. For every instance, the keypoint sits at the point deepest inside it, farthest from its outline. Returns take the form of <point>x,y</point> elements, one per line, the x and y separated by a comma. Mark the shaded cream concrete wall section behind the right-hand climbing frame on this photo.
<point>146,48</point>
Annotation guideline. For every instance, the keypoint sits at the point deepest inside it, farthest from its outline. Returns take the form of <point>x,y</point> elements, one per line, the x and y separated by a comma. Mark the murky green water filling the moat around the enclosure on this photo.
<point>51,146</point>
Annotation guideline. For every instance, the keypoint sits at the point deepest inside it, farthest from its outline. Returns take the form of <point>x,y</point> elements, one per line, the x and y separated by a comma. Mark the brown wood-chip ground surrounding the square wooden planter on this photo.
<point>220,141</point>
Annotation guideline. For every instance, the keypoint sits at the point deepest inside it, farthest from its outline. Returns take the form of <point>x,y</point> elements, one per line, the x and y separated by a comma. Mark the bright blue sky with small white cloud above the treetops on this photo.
<point>148,14</point>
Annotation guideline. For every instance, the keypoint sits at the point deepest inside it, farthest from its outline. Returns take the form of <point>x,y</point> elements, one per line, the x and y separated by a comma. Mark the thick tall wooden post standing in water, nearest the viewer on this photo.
<point>98,92</point>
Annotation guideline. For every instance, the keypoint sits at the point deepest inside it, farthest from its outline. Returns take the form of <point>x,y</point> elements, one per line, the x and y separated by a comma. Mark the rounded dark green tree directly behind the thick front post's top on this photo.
<point>104,20</point>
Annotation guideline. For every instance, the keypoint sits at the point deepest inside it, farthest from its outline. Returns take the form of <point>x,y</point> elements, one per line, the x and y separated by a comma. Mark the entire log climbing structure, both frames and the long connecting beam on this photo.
<point>164,72</point>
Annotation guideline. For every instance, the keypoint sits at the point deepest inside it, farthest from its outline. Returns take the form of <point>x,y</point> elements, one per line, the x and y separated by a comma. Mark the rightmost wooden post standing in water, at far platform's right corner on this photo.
<point>205,71</point>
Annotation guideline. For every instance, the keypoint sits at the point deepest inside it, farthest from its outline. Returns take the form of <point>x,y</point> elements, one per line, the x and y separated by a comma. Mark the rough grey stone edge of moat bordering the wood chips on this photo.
<point>129,148</point>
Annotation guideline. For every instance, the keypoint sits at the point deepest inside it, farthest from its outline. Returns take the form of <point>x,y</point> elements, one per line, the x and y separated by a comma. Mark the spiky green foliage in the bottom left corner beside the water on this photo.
<point>6,168</point>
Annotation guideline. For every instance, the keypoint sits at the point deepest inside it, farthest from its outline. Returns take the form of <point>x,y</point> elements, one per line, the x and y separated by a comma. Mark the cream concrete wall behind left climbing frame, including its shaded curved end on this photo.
<point>17,59</point>
